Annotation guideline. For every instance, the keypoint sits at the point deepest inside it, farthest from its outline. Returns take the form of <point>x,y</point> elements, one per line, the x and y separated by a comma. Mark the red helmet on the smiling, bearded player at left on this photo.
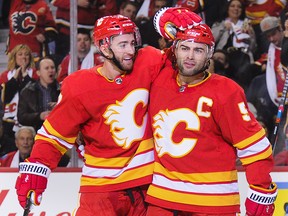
<point>108,26</point>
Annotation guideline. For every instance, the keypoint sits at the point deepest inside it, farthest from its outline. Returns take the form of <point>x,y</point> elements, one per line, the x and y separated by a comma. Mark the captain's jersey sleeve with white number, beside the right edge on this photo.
<point>240,128</point>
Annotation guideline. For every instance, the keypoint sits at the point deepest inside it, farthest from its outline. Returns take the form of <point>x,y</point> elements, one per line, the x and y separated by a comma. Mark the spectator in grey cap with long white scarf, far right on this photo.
<point>265,90</point>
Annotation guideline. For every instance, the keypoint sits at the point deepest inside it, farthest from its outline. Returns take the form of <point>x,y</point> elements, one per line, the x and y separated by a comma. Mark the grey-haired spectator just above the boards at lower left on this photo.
<point>24,140</point>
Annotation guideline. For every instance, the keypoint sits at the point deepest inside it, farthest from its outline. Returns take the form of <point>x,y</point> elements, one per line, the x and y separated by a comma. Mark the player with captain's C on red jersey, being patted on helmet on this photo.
<point>201,123</point>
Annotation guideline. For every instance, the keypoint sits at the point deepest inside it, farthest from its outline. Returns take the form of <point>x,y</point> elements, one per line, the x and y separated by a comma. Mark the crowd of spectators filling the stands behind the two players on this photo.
<point>249,36</point>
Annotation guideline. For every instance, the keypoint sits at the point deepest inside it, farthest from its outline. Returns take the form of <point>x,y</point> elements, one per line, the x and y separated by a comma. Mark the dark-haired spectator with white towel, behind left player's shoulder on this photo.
<point>85,55</point>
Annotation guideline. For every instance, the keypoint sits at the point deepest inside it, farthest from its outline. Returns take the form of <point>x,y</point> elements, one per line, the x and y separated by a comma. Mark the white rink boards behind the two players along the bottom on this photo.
<point>61,195</point>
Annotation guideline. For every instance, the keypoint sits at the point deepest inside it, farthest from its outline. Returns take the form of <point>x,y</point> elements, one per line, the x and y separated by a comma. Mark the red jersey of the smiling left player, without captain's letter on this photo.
<point>119,146</point>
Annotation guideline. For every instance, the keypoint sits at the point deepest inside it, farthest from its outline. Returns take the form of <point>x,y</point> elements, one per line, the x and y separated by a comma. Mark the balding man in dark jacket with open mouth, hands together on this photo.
<point>39,97</point>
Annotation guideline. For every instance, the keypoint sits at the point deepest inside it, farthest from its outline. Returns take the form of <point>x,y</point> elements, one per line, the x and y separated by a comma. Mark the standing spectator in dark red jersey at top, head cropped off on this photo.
<point>87,12</point>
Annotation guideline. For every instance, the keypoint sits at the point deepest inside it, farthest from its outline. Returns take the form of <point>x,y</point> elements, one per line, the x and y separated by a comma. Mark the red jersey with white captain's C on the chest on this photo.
<point>196,130</point>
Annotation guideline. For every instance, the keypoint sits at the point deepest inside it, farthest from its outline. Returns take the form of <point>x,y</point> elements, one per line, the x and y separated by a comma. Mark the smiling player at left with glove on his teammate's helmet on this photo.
<point>108,104</point>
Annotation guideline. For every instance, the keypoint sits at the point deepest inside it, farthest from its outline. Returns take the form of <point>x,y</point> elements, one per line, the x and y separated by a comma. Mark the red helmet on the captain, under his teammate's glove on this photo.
<point>199,34</point>
